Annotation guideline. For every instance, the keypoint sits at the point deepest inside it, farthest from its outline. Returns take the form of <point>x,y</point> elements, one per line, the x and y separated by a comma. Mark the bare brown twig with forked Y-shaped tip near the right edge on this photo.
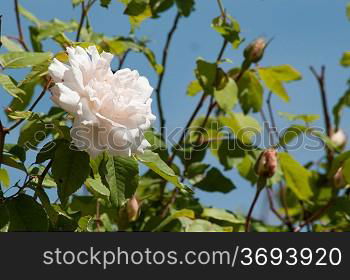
<point>321,82</point>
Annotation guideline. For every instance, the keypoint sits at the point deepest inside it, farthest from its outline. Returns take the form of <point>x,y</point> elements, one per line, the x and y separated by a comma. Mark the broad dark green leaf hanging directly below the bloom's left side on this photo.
<point>70,169</point>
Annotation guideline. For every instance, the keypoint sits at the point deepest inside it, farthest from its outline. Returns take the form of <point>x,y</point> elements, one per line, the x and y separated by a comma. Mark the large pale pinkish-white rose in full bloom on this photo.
<point>110,111</point>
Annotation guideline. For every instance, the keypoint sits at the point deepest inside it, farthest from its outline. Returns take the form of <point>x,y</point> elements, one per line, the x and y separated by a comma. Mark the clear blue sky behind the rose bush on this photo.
<point>313,32</point>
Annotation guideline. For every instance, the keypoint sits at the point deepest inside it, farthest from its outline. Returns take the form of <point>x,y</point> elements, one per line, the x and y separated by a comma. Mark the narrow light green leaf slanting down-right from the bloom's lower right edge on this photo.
<point>155,163</point>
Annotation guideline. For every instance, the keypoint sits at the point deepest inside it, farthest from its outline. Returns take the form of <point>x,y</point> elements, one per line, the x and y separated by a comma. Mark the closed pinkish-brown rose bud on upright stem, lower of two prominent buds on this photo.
<point>266,164</point>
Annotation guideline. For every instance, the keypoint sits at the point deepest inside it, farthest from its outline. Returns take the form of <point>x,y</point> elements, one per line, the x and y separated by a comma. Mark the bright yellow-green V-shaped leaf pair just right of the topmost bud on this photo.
<point>274,77</point>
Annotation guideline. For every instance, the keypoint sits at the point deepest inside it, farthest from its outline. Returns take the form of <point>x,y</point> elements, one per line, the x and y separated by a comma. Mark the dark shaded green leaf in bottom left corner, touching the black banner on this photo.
<point>26,214</point>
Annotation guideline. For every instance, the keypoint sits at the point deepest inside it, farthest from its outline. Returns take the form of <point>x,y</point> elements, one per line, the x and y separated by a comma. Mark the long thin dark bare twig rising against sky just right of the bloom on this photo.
<point>161,76</point>
